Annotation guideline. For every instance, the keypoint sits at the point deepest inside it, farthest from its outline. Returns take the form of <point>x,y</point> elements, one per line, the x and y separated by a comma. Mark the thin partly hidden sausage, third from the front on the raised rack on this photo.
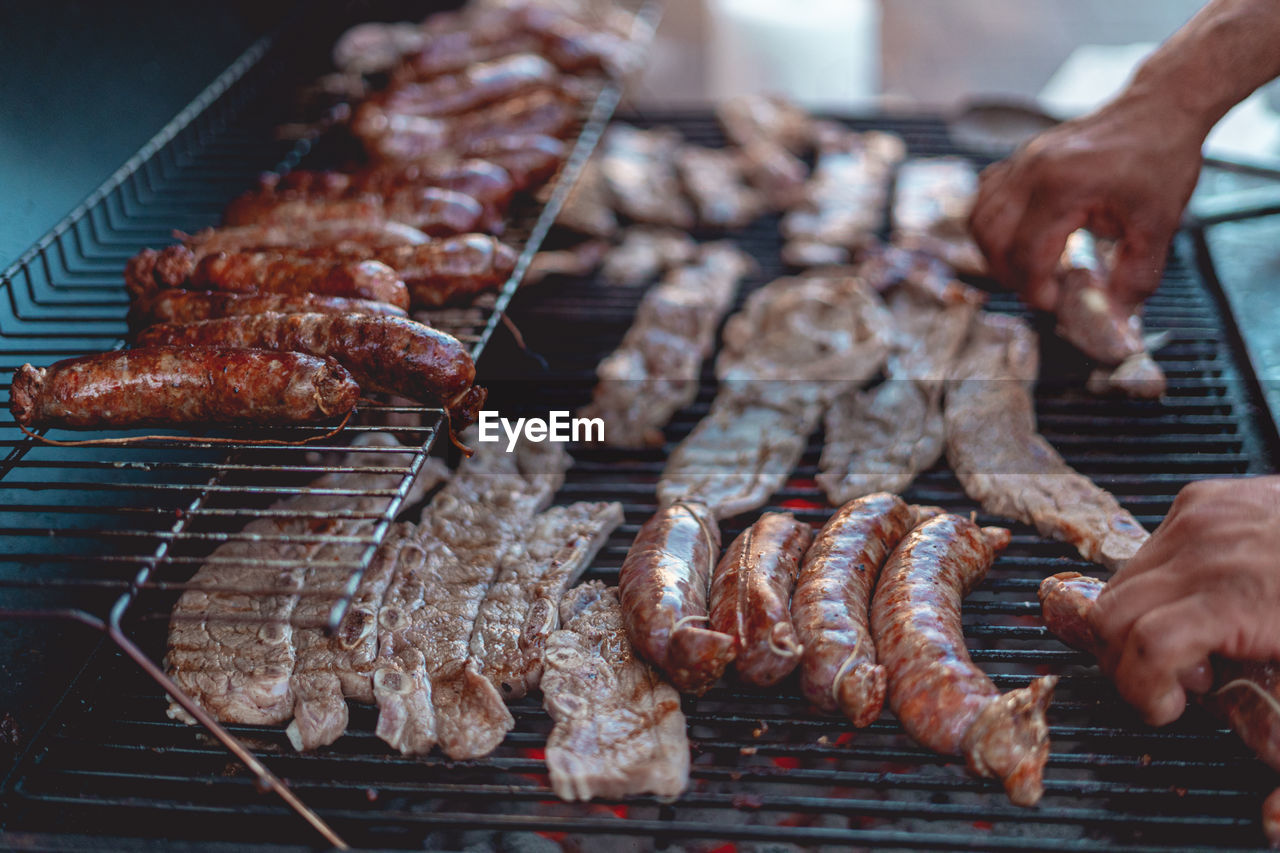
<point>177,305</point>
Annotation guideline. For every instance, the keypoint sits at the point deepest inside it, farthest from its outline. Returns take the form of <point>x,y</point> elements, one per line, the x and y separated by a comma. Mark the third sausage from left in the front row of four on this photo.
<point>833,597</point>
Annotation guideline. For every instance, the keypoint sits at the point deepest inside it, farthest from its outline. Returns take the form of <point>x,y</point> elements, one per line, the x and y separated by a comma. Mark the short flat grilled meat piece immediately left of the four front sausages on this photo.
<point>619,729</point>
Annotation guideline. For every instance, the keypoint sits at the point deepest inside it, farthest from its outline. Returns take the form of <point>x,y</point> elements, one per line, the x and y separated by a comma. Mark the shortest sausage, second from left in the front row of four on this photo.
<point>752,595</point>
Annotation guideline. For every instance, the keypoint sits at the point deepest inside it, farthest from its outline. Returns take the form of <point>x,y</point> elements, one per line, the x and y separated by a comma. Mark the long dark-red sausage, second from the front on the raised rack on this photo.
<point>387,354</point>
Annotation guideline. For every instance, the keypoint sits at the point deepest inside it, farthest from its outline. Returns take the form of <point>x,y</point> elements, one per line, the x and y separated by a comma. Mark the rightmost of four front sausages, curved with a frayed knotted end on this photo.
<point>943,700</point>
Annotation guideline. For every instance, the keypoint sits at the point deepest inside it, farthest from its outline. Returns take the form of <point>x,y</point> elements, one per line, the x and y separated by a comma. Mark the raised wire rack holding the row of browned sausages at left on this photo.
<point>93,530</point>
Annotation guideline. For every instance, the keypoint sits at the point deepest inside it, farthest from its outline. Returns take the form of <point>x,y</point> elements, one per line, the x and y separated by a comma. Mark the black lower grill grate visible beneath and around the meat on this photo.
<point>766,768</point>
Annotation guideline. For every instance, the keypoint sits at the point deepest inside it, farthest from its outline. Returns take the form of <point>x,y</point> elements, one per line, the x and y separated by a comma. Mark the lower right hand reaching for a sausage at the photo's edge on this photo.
<point>1206,583</point>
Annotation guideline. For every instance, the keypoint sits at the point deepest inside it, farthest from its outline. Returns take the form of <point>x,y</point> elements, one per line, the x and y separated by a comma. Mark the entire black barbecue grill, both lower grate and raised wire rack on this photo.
<point>132,524</point>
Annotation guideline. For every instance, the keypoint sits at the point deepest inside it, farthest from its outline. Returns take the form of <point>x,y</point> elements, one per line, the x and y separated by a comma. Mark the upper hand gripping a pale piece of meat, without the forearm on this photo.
<point>1124,172</point>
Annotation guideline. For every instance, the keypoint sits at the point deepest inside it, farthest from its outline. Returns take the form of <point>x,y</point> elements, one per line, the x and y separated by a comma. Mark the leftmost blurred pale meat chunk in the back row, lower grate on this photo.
<point>641,172</point>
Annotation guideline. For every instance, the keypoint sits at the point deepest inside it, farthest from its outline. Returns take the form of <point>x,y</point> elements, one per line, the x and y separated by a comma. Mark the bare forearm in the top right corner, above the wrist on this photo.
<point>1212,65</point>
